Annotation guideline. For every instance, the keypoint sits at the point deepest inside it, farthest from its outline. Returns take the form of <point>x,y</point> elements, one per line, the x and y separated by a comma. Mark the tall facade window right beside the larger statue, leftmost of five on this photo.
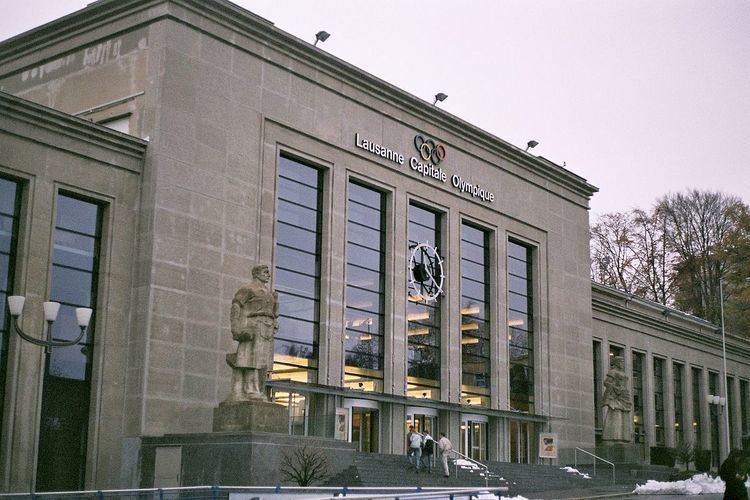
<point>297,260</point>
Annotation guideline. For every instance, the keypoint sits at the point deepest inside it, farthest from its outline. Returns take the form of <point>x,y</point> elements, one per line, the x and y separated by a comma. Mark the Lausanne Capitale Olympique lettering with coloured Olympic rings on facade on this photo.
<point>431,153</point>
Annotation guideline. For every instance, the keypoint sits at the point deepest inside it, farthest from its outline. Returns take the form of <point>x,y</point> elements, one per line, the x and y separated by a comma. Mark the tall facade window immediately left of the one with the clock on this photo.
<point>365,288</point>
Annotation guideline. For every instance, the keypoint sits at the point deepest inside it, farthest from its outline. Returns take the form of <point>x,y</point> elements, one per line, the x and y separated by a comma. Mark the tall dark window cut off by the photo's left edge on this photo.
<point>10,200</point>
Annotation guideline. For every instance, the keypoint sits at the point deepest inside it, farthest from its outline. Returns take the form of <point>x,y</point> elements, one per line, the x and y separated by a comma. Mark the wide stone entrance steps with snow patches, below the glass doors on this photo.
<point>370,469</point>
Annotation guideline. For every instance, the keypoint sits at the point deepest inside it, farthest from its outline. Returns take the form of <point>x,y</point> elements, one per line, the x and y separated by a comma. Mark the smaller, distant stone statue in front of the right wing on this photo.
<point>617,404</point>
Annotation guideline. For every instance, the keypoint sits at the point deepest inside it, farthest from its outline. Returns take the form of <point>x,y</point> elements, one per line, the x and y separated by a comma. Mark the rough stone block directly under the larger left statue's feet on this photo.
<point>257,416</point>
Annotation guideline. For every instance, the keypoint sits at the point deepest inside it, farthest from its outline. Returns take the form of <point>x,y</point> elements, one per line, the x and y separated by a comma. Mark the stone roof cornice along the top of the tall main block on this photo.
<point>264,32</point>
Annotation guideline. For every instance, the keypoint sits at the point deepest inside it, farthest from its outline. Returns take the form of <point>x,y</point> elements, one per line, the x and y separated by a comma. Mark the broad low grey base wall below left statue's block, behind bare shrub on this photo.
<point>230,458</point>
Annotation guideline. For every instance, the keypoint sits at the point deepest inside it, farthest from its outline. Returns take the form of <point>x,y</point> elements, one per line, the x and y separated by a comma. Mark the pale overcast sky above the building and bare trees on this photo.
<point>640,97</point>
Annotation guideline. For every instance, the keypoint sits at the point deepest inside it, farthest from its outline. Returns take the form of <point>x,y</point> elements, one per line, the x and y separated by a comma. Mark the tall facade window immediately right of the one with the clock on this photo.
<point>475,325</point>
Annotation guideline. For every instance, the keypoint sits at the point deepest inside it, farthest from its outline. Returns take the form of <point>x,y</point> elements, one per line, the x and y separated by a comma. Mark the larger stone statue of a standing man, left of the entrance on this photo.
<point>254,318</point>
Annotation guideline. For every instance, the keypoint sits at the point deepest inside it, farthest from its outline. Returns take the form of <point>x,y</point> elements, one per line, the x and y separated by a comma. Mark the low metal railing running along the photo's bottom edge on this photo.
<point>264,493</point>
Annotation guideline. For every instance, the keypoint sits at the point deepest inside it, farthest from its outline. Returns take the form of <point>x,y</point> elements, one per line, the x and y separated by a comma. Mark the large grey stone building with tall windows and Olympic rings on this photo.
<point>429,273</point>
